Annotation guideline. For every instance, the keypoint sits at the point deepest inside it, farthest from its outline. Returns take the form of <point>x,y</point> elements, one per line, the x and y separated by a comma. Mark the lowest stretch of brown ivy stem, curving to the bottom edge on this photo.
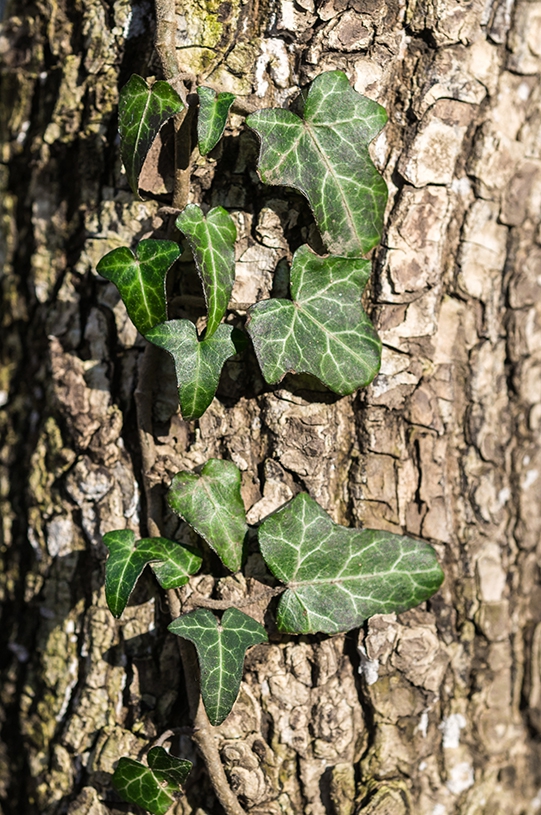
<point>203,732</point>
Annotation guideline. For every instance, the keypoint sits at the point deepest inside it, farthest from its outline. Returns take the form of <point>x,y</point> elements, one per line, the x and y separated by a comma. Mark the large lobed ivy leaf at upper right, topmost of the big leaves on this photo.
<point>325,156</point>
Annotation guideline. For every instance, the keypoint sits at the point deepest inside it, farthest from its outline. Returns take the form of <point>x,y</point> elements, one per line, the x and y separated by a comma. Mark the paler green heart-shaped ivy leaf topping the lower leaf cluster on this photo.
<point>212,504</point>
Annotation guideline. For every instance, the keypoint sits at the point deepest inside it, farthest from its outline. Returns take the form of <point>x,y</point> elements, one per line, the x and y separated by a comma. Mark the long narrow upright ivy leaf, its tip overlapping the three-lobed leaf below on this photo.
<point>212,241</point>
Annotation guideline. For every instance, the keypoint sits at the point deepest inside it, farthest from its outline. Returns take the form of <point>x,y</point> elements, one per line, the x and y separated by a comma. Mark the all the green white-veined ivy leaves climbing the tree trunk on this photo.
<point>327,578</point>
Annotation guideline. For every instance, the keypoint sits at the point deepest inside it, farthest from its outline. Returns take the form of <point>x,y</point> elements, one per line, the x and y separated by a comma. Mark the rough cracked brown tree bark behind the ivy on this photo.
<point>434,712</point>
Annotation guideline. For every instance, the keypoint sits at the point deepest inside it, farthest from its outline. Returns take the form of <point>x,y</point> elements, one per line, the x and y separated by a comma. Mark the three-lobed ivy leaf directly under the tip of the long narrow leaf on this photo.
<point>198,363</point>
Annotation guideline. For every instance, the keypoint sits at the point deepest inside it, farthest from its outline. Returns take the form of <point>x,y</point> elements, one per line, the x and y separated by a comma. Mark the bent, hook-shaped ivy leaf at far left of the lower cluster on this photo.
<point>127,560</point>
